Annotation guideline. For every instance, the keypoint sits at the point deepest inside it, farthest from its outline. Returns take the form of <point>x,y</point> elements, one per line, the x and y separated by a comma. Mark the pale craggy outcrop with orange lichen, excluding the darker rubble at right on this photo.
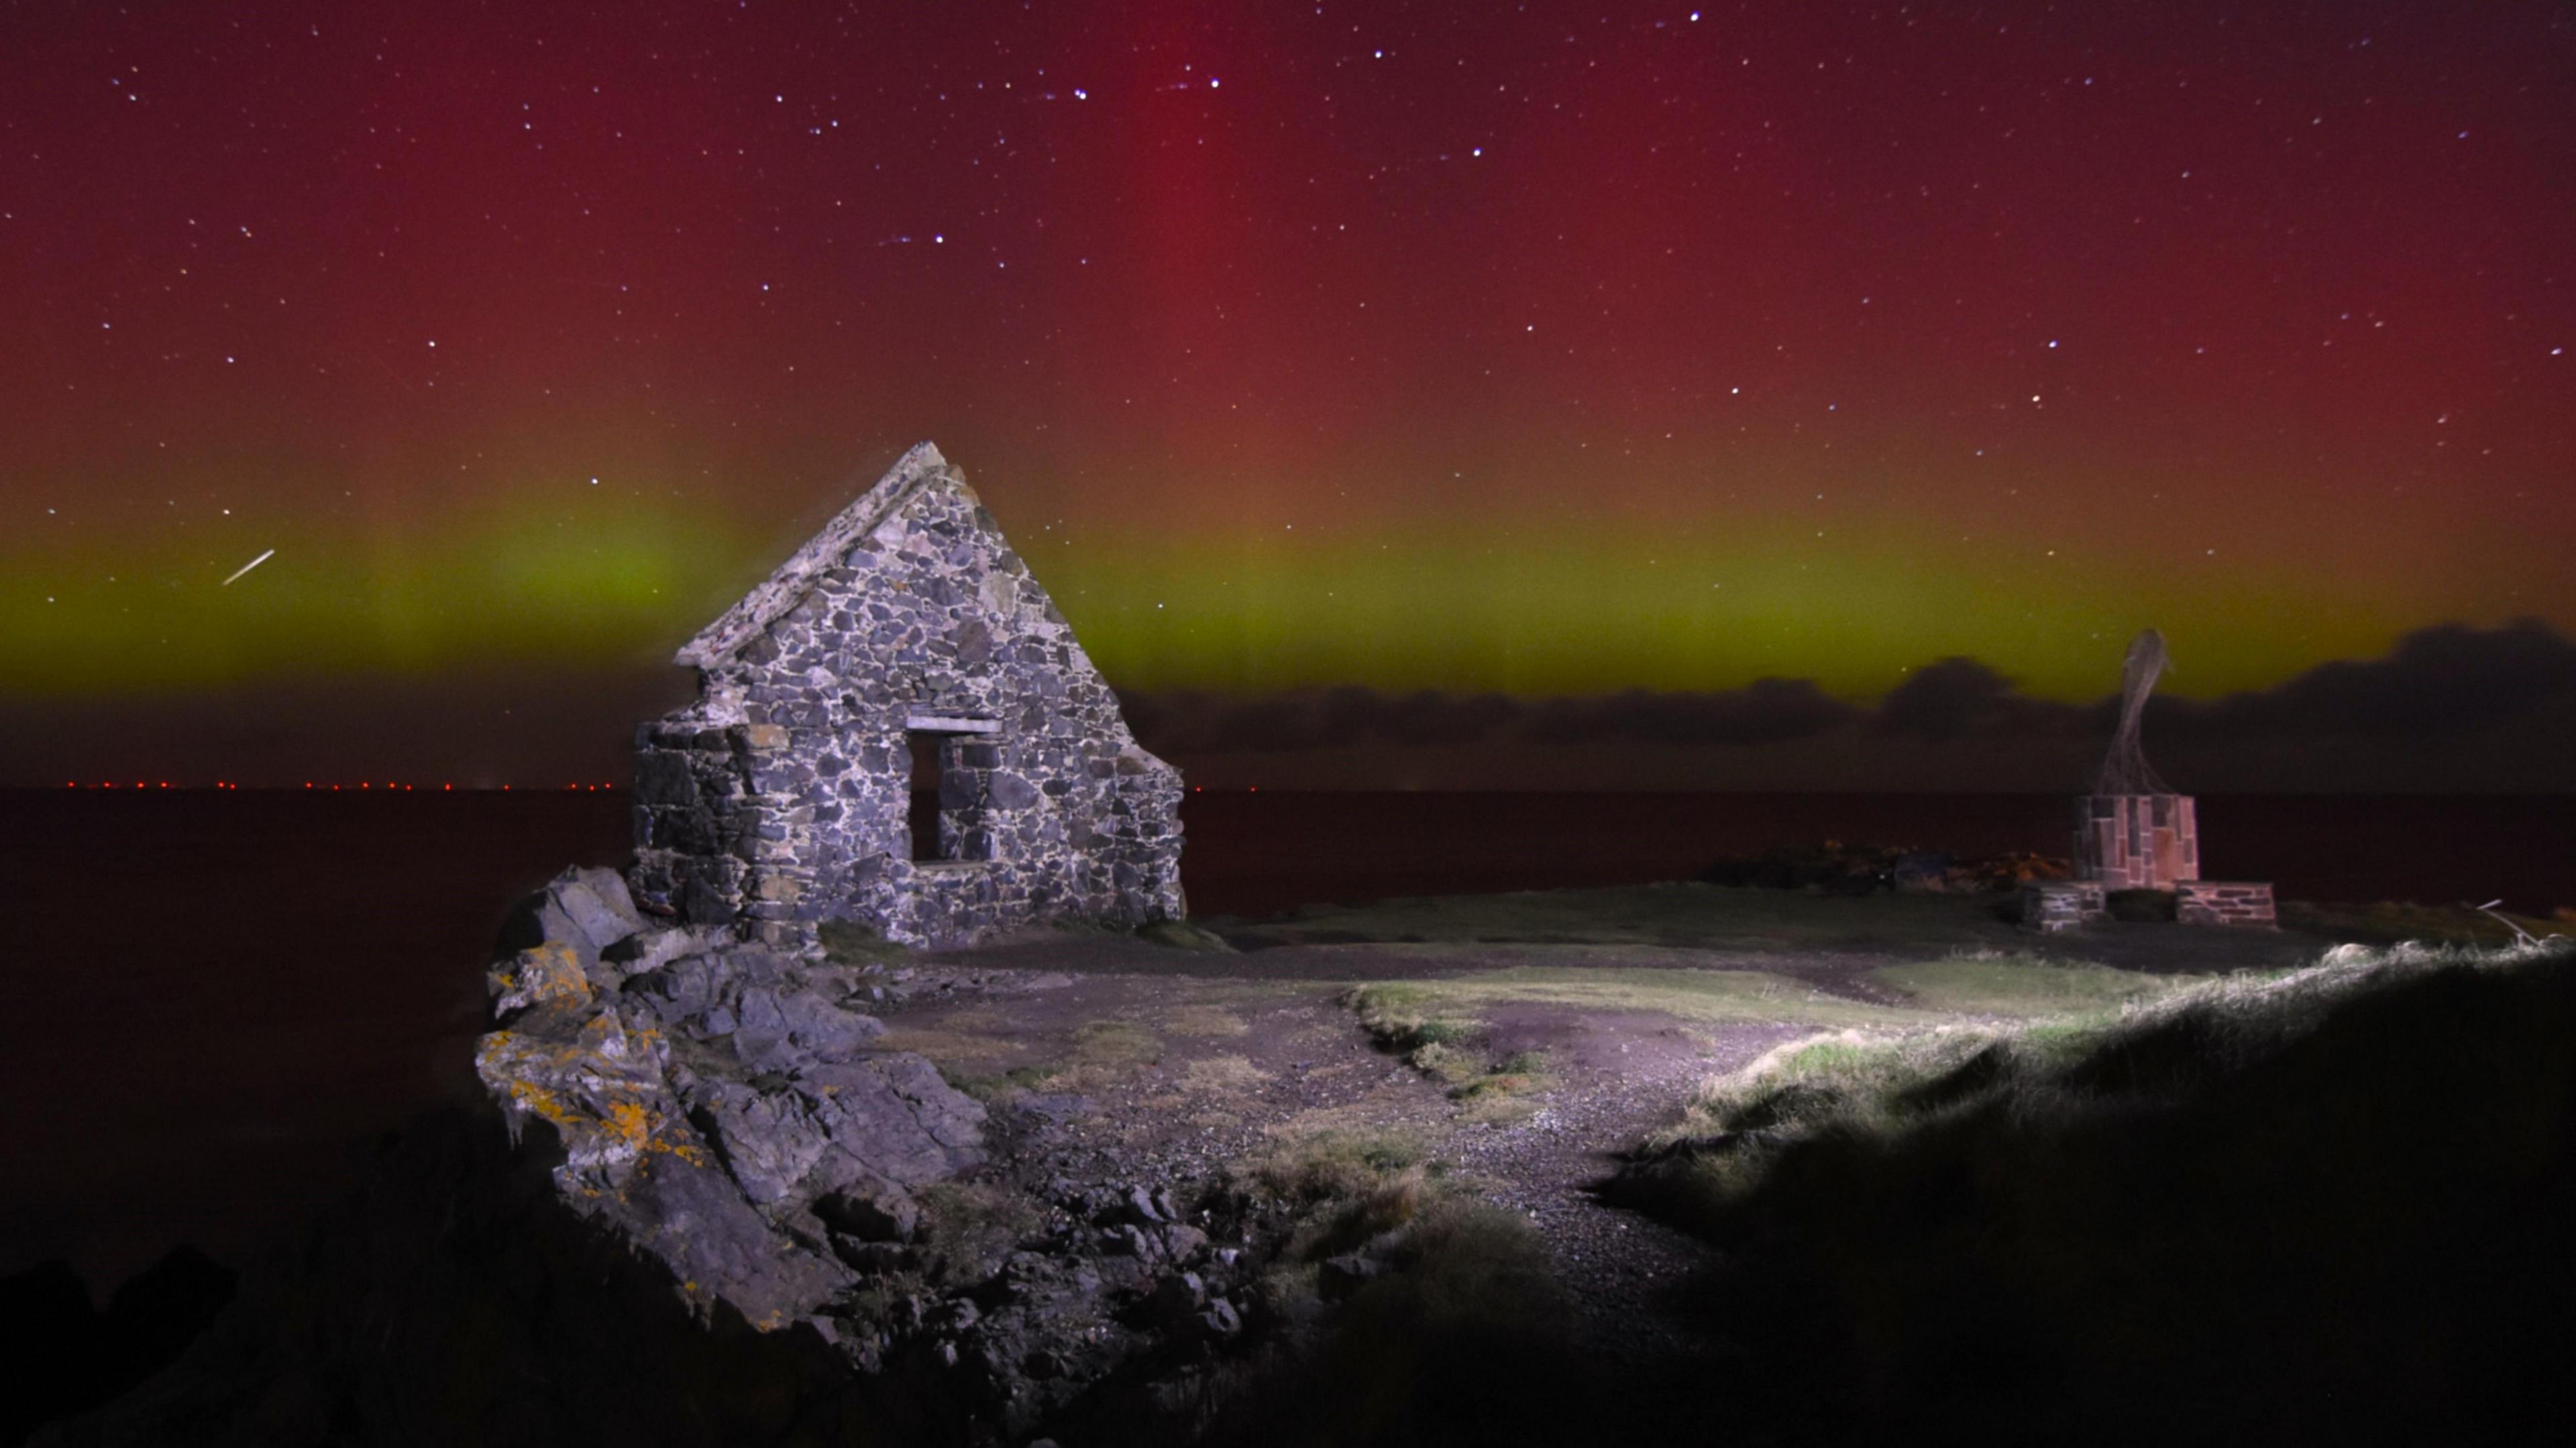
<point>712,1104</point>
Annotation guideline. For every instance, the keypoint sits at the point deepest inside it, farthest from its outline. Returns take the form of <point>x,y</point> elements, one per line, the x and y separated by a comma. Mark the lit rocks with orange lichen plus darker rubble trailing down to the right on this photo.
<point>730,1117</point>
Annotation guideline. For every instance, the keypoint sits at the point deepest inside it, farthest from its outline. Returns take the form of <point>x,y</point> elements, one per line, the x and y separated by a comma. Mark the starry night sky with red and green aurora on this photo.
<point>1549,352</point>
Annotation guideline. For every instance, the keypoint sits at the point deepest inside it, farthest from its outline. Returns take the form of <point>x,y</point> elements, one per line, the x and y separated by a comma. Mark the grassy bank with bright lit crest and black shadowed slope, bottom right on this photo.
<point>2325,1205</point>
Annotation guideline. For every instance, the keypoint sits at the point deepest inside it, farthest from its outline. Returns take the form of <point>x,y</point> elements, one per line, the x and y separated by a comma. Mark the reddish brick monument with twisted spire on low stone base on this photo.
<point>2137,834</point>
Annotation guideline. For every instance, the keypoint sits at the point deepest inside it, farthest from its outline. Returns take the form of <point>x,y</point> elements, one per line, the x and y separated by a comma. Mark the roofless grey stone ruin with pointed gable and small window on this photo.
<point>900,730</point>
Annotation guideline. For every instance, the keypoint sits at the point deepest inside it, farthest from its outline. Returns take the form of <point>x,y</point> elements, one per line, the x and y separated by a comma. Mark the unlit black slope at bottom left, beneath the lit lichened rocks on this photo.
<point>460,1300</point>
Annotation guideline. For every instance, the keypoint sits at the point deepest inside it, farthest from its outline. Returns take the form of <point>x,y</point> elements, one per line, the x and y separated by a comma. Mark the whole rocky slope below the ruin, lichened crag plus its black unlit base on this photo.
<point>705,1207</point>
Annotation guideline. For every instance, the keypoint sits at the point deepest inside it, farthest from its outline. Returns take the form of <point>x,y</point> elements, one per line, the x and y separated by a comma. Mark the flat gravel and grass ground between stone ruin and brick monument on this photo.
<point>1573,1022</point>
